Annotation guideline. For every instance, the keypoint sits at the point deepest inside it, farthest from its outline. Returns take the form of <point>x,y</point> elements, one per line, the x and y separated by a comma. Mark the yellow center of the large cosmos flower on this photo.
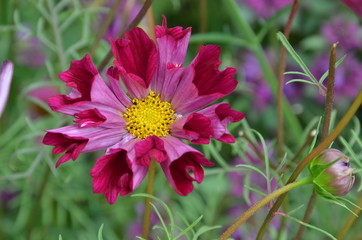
<point>149,116</point>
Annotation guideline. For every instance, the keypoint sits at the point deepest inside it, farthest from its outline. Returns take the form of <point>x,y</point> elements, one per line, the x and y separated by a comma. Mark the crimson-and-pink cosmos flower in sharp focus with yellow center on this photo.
<point>164,103</point>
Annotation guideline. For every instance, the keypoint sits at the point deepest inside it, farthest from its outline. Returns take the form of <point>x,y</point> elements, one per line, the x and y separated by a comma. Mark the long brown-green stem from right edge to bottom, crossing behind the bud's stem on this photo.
<point>323,145</point>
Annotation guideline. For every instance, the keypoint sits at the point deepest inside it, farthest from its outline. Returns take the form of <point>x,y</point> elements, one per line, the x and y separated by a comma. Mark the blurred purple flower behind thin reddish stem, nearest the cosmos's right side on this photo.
<point>261,92</point>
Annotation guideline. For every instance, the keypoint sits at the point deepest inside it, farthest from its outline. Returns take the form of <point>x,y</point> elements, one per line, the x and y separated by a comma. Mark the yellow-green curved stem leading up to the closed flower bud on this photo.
<point>250,212</point>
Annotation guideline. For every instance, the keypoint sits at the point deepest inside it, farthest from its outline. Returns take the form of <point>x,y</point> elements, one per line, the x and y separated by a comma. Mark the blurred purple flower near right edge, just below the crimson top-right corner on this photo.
<point>345,32</point>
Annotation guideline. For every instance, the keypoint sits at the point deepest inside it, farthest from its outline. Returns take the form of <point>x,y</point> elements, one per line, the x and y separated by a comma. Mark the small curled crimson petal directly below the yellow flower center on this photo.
<point>150,148</point>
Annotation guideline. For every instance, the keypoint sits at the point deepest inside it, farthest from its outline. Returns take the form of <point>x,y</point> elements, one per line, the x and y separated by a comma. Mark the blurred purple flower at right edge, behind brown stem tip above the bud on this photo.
<point>347,77</point>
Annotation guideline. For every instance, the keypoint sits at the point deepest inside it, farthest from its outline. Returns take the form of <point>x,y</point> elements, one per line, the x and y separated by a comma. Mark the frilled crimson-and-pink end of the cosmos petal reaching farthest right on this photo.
<point>220,116</point>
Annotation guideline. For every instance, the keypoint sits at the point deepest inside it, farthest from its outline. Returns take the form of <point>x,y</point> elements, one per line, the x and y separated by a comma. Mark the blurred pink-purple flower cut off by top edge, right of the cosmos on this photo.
<point>266,8</point>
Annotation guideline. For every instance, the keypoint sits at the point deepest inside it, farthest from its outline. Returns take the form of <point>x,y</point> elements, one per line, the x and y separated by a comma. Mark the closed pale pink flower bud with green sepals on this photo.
<point>331,172</point>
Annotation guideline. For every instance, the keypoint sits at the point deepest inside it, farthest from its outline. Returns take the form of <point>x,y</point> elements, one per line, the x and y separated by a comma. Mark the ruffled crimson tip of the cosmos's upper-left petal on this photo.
<point>79,77</point>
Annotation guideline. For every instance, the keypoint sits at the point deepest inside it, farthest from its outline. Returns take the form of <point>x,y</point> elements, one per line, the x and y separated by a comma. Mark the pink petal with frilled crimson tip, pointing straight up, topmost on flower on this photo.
<point>172,48</point>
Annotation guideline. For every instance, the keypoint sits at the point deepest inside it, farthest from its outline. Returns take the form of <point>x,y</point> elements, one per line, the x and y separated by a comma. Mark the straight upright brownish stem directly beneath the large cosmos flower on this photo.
<point>148,207</point>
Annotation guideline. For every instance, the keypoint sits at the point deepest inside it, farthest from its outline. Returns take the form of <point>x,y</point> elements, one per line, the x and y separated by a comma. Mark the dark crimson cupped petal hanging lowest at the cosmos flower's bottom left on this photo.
<point>112,176</point>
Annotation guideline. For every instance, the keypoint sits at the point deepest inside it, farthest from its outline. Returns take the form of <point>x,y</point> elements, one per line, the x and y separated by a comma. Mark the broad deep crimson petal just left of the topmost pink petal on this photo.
<point>137,54</point>
